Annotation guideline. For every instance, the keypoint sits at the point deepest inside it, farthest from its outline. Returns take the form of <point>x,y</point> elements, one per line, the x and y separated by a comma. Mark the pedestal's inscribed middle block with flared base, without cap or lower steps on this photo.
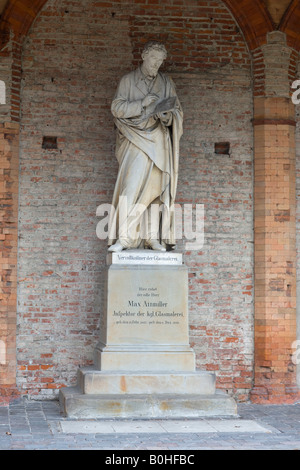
<point>145,326</point>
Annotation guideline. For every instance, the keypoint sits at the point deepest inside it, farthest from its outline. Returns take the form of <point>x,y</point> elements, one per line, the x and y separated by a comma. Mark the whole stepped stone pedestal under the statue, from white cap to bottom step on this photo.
<point>144,366</point>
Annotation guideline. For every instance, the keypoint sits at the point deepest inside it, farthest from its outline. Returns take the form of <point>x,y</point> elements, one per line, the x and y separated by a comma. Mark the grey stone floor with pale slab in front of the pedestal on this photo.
<point>39,425</point>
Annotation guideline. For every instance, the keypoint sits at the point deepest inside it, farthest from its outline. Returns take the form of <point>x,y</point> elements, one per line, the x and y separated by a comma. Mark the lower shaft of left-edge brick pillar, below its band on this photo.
<point>9,149</point>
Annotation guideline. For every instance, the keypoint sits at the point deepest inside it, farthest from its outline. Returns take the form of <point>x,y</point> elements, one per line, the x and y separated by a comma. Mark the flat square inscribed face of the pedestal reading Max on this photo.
<point>144,308</point>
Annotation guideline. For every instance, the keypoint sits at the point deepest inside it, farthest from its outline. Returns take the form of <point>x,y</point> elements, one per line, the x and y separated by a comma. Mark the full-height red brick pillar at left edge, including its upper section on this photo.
<point>9,181</point>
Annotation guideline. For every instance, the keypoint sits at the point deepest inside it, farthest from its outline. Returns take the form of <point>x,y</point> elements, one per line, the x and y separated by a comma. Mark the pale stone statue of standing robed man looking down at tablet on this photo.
<point>148,117</point>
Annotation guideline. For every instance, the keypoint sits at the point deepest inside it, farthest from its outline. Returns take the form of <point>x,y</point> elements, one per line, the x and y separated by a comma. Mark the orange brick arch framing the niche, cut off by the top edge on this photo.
<point>251,15</point>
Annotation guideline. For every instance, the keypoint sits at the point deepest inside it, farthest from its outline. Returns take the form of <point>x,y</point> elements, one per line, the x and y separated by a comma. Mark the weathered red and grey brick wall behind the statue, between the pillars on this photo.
<point>72,61</point>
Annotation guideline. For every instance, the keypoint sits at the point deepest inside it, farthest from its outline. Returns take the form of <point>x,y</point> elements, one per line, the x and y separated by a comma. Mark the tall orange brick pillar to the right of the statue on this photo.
<point>275,378</point>
